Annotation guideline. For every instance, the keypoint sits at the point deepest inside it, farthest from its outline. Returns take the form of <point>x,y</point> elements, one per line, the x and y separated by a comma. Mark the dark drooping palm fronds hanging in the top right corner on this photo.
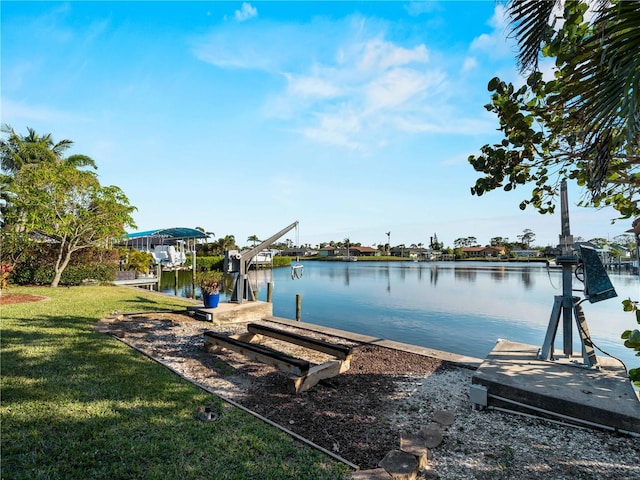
<point>602,78</point>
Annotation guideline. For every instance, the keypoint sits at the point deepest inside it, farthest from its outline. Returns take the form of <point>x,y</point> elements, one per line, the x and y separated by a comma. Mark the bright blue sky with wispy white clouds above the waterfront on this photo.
<point>355,118</point>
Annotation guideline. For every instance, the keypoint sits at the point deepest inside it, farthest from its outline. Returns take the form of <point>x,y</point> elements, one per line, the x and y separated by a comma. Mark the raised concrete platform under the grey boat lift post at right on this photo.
<point>512,377</point>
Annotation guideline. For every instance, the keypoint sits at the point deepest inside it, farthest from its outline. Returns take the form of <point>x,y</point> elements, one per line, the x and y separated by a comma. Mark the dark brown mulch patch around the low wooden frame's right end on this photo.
<point>348,414</point>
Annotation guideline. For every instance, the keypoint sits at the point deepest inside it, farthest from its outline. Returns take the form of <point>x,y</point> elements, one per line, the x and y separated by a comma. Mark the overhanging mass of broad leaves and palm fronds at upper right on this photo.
<point>575,126</point>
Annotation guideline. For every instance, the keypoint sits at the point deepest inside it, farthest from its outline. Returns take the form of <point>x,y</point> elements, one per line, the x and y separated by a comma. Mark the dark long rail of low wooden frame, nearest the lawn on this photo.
<point>260,353</point>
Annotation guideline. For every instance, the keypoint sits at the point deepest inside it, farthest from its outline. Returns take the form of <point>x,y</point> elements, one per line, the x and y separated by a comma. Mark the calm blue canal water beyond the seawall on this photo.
<point>459,307</point>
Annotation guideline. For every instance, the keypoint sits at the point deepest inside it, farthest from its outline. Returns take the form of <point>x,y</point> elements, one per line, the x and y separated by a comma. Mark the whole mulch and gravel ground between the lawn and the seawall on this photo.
<point>360,414</point>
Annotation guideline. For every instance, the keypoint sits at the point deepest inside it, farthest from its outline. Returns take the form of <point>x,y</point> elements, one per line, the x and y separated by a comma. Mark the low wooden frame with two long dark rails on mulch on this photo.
<point>304,374</point>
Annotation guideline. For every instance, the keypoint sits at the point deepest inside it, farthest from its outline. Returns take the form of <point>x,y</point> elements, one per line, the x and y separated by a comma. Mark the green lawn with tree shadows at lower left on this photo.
<point>80,404</point>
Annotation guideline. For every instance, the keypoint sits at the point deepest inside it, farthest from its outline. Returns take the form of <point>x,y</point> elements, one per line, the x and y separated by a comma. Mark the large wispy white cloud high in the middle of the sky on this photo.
<point>347,83</point>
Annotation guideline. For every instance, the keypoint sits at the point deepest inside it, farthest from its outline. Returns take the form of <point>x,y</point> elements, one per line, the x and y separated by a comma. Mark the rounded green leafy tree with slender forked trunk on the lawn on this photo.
<point>55,199</point>
